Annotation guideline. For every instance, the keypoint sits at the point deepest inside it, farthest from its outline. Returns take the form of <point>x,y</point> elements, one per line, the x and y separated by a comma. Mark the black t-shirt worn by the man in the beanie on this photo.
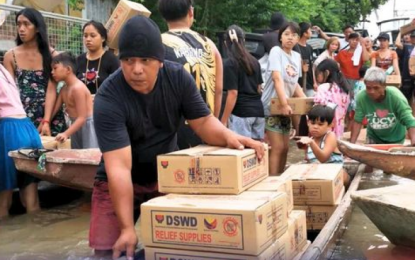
<point>146,122</point>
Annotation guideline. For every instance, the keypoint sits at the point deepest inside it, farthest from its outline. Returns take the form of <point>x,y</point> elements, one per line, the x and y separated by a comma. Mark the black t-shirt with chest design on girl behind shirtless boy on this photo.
<point>109,63</point>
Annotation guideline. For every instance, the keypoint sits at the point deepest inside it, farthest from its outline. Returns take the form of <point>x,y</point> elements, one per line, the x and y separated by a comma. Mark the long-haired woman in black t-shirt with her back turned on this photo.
<point>243,111</point>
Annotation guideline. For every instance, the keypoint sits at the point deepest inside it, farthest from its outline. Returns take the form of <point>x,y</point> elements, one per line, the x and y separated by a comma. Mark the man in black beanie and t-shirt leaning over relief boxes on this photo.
<point>137,112</point>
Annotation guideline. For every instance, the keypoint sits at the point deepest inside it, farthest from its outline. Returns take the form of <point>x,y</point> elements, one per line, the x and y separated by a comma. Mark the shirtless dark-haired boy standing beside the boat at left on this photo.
<point>78,104</point>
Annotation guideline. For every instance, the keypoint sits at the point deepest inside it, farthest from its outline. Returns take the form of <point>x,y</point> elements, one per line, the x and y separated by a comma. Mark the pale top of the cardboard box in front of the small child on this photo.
<point>300,172</point>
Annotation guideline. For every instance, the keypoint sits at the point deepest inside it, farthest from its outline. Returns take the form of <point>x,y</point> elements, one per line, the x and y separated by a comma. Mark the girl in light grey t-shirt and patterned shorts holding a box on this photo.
<point>285,67</point>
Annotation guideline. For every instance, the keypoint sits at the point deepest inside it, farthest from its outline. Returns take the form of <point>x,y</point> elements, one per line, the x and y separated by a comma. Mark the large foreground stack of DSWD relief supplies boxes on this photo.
<point>224,220</point>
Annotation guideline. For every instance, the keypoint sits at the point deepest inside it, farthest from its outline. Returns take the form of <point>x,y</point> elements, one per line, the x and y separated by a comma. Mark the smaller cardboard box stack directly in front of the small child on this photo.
<point>317,189</point>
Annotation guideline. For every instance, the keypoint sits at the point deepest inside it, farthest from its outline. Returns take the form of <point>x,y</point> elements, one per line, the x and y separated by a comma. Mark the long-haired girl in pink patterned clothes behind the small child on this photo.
<point>333,89</point>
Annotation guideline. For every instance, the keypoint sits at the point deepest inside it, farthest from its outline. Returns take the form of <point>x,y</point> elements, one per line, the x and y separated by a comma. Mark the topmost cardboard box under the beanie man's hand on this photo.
<point>210,170</point>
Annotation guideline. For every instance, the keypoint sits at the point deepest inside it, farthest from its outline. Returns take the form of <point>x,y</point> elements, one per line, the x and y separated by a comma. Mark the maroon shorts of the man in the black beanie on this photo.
<point>104,229</point>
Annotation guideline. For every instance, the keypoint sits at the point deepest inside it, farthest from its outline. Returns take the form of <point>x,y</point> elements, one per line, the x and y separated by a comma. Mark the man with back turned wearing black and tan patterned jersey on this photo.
<point>198,55</point>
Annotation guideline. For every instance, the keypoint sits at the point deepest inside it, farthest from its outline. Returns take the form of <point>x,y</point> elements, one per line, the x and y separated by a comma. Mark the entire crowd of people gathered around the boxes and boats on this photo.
<point>164,92</point>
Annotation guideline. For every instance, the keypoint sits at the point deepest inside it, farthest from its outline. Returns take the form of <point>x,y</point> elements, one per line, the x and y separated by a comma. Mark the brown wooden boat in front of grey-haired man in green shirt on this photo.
<point>395,161</point>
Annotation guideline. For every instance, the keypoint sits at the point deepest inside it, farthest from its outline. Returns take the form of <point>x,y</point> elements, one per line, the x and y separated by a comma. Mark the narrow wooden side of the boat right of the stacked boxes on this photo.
<point>325,241</point>
